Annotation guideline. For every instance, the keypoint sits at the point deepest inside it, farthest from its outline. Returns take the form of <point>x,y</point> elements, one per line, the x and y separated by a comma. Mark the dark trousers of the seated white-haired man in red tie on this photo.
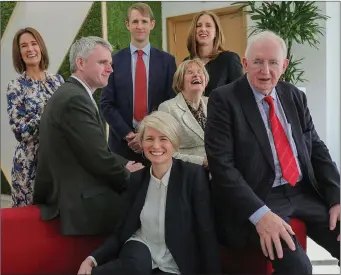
<point>301,202</point>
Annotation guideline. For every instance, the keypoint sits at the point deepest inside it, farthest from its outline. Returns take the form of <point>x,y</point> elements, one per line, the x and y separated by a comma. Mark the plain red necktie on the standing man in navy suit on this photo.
<point>140,102</point>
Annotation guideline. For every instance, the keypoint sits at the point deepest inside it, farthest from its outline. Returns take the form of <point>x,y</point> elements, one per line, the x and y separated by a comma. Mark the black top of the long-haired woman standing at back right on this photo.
<point>224,69</point>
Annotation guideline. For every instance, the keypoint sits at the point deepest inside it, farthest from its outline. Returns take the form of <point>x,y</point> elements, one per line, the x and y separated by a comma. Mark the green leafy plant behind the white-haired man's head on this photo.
<point>294,21</point>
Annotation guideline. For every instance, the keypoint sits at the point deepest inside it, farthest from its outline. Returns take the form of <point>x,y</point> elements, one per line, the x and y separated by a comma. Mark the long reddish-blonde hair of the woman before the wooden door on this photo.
<point>218,42</point>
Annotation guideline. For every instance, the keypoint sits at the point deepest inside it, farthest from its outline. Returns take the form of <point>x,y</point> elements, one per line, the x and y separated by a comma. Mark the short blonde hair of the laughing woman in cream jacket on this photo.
<point>178,79</point>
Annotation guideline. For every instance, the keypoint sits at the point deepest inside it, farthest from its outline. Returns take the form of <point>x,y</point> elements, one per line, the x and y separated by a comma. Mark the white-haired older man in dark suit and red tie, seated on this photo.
<point>268,163</point>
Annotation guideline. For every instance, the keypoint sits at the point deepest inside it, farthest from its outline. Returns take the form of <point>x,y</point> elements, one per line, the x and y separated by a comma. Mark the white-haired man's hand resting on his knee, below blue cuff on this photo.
<point>270,229</point>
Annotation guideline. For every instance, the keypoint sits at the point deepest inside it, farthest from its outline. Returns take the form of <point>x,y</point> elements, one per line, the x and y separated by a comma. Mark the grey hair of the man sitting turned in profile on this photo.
<point>83,47</point>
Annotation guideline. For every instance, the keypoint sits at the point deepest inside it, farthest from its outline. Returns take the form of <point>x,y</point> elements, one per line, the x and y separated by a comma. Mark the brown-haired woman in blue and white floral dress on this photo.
<point>27,96</point>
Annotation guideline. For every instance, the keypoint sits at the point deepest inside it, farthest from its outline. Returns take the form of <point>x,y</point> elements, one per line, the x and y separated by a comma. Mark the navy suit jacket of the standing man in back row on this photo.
<point>117,98</point>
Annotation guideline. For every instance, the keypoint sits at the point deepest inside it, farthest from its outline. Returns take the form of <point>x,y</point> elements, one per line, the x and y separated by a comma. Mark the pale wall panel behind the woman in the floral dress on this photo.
<point>58,23</point>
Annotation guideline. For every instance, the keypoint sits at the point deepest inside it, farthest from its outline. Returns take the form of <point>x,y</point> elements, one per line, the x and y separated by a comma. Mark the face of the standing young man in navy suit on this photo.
<point>139,27</point>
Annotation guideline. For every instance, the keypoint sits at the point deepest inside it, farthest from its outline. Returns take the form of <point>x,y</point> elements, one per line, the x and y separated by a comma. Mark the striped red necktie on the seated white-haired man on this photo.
<point>284,152</point>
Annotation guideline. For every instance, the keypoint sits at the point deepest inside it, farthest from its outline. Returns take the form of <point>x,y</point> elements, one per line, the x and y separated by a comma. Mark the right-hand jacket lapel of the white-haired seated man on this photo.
<point>291,116</point>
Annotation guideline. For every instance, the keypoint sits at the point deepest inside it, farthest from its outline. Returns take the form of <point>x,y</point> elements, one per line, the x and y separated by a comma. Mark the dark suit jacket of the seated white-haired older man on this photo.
<point>240,157</point>
